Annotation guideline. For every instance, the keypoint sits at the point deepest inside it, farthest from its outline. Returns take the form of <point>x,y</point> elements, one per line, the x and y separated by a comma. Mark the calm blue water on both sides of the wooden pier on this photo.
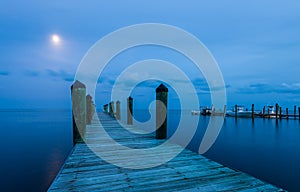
<point>34,145</point>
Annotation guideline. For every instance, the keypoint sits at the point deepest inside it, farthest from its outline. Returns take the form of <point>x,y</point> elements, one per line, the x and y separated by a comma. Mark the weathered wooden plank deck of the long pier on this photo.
<point>85,171</point>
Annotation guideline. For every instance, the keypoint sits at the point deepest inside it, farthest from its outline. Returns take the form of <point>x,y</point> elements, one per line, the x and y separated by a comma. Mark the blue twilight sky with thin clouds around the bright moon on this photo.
<point>256,44</point>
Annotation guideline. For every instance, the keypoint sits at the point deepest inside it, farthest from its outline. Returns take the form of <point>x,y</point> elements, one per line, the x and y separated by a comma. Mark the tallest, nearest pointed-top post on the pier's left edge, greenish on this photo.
<point>78,92</point>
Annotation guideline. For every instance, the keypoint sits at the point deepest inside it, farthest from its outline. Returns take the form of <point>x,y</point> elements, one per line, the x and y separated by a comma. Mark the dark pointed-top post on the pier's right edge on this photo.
<point>161,111</point>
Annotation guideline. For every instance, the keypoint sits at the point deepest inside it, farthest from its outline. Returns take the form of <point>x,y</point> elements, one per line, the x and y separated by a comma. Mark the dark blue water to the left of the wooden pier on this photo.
<point>33,146</point>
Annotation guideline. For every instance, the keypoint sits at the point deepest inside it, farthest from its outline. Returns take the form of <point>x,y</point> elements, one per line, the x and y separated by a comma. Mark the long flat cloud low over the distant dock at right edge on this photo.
<point>264,88</point>
